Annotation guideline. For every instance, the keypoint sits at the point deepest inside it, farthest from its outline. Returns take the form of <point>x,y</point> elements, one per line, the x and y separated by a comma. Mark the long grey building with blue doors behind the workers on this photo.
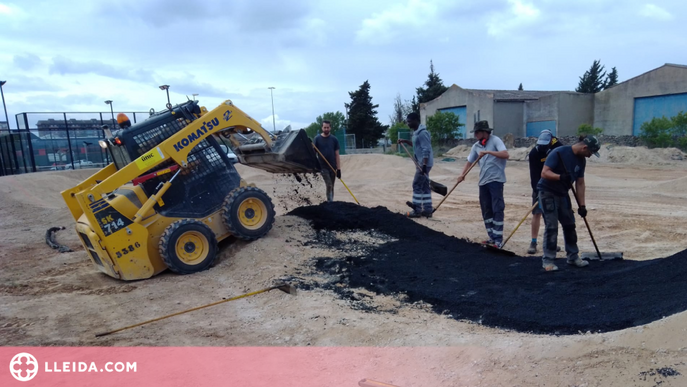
<point>619,110</point>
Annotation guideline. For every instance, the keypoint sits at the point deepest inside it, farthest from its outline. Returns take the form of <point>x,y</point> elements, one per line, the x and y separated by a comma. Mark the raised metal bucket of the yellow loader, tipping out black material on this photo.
<point>291,152</point>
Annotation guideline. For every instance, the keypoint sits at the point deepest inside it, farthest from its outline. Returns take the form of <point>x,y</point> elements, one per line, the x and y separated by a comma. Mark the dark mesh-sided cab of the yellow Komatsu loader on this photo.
<point>202,186</point>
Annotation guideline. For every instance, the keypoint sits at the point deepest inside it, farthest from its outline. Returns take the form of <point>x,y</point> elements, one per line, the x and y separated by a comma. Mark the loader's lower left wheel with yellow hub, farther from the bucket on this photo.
<point>188,246</point>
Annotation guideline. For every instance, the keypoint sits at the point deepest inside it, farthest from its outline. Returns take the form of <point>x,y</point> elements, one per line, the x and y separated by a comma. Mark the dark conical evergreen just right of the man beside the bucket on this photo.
<point>362,117</point>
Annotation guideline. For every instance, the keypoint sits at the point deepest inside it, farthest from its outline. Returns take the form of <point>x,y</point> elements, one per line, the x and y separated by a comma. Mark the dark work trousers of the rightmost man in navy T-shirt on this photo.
<point>558,209</point>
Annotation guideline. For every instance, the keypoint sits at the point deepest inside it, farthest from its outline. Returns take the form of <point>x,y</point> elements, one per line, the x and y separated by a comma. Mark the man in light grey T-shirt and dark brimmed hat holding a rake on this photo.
<point>492,155</point>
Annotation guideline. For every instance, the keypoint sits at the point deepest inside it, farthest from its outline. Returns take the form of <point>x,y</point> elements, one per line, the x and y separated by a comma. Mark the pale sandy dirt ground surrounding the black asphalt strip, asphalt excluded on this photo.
<point>635,199</point>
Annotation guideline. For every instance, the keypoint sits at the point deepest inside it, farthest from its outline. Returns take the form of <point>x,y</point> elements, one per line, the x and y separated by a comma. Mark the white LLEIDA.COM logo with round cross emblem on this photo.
<point>24,367</point>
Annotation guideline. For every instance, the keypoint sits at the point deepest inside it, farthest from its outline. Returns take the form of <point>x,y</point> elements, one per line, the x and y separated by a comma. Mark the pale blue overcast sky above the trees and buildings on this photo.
<point>72,55</point>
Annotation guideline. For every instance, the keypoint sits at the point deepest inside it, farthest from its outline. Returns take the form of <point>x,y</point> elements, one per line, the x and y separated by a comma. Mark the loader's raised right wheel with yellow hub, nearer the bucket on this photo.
<point>248,213</point>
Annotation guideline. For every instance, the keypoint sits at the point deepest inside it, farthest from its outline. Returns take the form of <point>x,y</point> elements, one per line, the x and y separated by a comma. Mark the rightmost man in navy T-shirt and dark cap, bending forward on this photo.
<point>563,167</point>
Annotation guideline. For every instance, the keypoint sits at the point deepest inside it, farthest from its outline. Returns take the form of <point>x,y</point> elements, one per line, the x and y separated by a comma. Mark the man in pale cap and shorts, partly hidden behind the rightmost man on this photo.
<point>545,144</point>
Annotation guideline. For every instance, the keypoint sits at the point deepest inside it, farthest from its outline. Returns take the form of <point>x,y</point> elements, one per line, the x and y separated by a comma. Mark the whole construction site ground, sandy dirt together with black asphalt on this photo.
<point>636,200</point>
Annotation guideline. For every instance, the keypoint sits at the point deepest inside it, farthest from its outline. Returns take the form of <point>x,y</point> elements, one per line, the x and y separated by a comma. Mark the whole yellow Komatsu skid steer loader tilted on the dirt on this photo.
<point>171,193</point>
